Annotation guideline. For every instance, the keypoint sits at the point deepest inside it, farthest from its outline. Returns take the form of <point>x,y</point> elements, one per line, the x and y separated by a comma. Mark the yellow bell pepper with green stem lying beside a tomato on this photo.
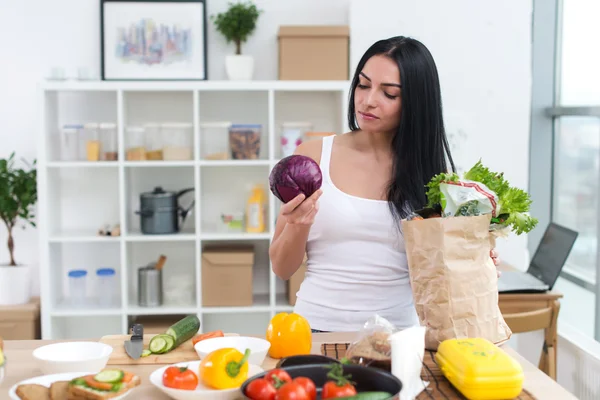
<point>225,368</point>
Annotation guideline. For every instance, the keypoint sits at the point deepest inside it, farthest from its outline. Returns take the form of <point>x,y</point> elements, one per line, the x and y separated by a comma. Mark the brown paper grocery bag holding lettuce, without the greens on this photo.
<point>453,279</point>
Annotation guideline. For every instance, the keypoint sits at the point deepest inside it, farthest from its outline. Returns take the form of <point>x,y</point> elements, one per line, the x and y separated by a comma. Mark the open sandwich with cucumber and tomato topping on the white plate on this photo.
<point>105,384</point>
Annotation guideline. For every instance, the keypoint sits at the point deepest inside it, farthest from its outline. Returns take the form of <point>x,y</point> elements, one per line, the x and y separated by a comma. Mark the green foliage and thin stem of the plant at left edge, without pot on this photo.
<point>18,195</point>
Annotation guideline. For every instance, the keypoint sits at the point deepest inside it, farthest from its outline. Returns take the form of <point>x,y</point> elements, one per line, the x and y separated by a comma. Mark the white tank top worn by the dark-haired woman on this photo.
<point>356,264</point>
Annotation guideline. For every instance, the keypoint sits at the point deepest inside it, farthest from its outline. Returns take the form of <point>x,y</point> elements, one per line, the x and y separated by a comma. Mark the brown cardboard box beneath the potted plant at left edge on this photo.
<point>21,322</point>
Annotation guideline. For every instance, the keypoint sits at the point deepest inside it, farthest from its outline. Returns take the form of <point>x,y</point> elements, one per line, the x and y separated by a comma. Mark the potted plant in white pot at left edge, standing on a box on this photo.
<point>18,195</point>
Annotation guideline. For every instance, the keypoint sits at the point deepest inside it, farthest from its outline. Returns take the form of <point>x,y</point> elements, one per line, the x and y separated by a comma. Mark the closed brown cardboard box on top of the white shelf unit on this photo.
<point>318,52</point>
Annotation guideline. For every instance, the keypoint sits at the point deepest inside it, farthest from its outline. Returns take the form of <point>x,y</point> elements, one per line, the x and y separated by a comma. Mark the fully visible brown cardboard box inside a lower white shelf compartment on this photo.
<point>227,276</point>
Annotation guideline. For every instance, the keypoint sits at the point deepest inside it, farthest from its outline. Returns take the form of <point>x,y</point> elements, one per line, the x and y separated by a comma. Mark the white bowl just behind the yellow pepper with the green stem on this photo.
<point>258,347</point>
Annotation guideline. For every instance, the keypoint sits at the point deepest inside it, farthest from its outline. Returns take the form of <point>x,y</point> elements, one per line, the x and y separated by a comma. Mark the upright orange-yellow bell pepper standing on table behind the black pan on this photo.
<point>289,335</point>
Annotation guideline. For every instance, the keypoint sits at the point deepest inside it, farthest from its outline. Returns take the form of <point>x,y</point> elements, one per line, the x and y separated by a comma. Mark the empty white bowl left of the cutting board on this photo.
<point>72,357</point>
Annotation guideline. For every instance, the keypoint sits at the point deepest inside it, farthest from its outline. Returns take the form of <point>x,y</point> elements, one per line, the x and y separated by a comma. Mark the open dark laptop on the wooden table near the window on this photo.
<point>546,264</point>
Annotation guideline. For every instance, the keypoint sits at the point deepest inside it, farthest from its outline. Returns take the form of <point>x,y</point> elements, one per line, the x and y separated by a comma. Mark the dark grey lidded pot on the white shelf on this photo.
<point>160,211</point>
